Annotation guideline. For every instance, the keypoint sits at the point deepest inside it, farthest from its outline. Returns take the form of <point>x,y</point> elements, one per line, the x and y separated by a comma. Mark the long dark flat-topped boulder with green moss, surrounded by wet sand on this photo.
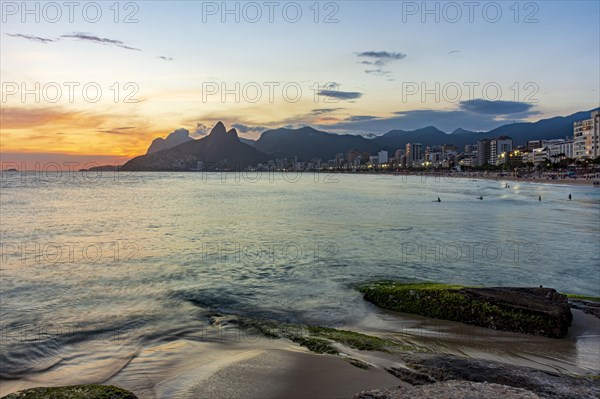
<point>537,311</point>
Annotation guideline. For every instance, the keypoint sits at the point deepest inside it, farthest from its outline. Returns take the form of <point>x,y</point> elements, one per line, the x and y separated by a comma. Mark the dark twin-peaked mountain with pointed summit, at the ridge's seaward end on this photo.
<point>221,149</point>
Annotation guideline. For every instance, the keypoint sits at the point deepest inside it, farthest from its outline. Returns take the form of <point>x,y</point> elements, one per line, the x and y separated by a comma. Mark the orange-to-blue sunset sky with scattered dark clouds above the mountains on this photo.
<point>360,66</point>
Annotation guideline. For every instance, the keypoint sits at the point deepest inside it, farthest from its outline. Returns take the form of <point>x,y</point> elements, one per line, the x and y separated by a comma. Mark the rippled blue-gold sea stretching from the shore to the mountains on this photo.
<point>98,267</point>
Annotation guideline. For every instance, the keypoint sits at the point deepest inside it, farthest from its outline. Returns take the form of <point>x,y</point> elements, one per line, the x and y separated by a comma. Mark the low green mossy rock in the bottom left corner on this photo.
<point>73,392</point>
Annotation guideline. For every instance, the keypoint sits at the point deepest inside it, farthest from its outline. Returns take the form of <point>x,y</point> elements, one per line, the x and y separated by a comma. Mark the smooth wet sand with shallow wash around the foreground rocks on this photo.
<point>263,368</point>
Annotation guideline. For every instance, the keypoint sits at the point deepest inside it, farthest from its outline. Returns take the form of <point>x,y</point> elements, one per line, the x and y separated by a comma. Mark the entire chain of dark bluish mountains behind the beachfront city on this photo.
<point>227,149</point>
